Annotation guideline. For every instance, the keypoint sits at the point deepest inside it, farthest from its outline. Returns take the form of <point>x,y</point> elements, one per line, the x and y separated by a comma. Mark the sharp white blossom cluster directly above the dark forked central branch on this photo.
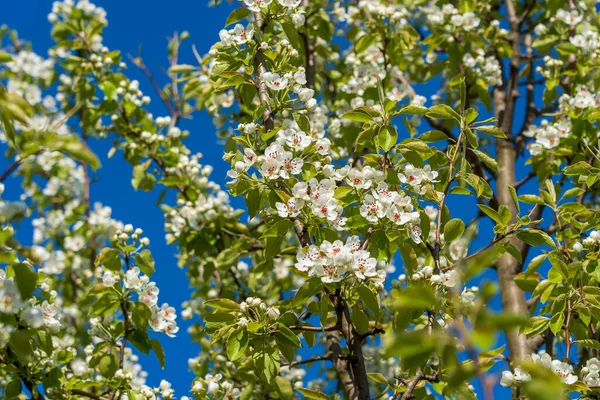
<point>332,261</point>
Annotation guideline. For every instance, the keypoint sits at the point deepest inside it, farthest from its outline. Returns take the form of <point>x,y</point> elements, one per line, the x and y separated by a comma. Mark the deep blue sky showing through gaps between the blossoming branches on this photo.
<point>141,22</point>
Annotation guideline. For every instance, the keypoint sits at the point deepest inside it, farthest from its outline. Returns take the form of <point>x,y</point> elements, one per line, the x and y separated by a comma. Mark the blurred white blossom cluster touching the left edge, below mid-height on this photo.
<point>34,314</point>
